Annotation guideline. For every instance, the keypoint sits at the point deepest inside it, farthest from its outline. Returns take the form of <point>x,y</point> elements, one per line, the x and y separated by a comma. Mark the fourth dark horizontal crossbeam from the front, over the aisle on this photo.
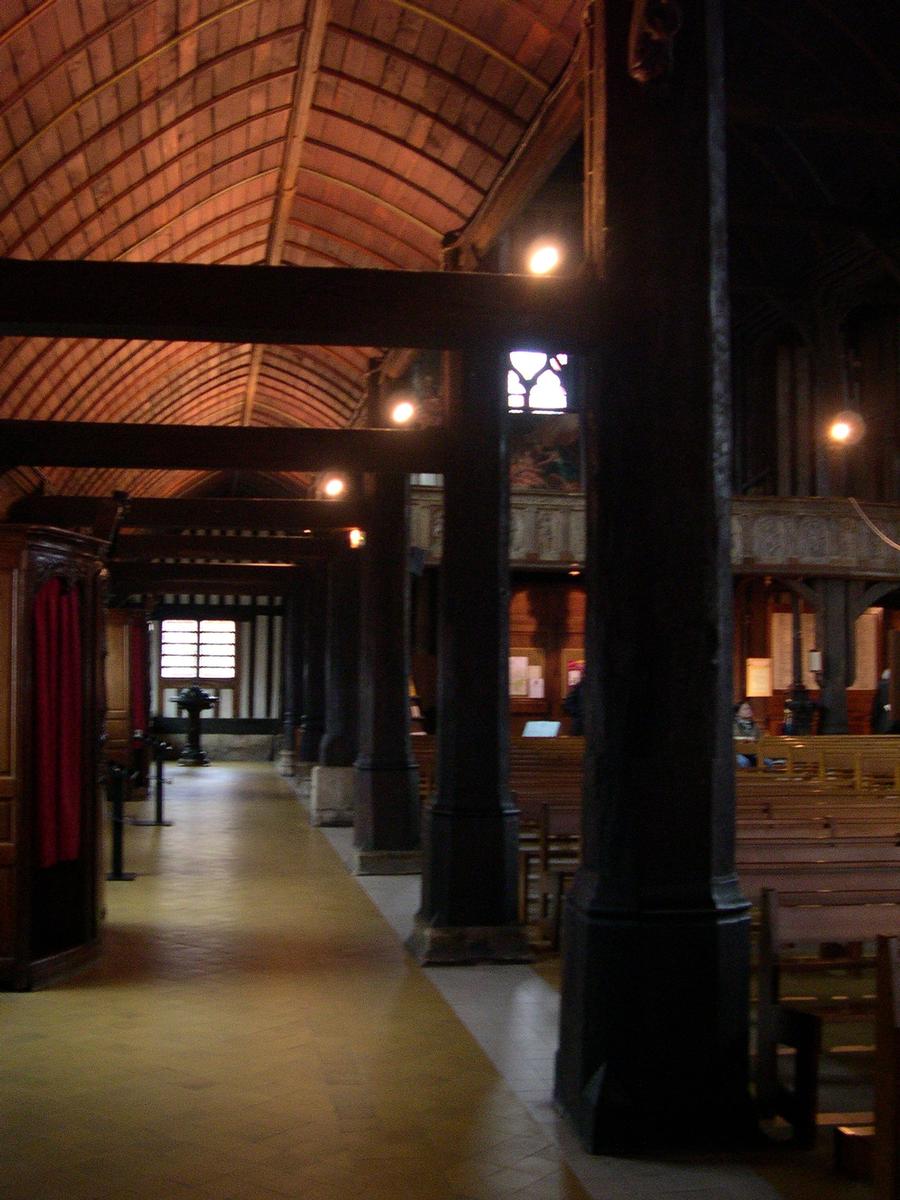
<point>223,547</point>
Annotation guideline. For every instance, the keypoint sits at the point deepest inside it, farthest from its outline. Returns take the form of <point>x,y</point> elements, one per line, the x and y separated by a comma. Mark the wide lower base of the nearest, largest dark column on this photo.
<point>655,1030</point>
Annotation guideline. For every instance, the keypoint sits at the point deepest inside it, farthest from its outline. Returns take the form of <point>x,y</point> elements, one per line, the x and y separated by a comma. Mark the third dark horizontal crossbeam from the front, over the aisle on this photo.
<point>203,513</point>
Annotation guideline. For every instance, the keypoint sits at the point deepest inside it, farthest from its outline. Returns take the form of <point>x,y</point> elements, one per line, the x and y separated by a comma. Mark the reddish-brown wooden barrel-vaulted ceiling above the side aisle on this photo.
<point>302,133</point>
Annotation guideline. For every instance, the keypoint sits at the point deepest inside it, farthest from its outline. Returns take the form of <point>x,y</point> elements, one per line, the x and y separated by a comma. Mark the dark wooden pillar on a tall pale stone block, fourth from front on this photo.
<point>332,797</point>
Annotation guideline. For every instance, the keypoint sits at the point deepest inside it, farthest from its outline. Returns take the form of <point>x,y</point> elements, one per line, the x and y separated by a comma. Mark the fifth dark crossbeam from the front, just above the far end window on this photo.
<point>155,579</point>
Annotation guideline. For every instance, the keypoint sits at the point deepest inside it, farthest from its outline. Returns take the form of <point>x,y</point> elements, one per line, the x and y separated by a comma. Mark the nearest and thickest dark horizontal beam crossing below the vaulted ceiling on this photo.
<point>296,305</point>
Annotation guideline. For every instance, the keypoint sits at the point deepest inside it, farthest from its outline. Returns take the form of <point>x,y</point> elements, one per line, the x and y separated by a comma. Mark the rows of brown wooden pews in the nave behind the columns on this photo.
<point>818,850</point>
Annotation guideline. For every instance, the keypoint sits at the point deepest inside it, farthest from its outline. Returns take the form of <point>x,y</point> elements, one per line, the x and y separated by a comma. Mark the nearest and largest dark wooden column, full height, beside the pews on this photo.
<point>656,975</point>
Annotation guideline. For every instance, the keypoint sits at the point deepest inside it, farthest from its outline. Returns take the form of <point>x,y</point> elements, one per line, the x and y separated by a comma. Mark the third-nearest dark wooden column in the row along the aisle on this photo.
<point>387,775</point>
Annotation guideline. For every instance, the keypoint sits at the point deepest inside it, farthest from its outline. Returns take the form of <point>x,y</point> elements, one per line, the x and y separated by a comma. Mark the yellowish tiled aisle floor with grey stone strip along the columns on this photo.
<point>255,1031</point>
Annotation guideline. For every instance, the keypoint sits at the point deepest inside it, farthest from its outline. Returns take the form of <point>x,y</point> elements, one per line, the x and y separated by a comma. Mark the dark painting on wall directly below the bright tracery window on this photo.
<point>545,453</point>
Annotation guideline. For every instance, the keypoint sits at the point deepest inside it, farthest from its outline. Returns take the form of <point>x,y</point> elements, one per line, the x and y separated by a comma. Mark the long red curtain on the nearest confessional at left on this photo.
<point>58,723</point>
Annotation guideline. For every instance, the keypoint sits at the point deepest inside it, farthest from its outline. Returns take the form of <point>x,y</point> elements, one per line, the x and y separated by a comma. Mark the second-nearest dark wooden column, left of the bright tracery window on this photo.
<point>471,836</point>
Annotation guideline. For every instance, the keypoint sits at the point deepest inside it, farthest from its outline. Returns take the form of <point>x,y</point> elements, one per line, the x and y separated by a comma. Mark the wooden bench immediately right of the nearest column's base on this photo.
<point>788,920</point>
